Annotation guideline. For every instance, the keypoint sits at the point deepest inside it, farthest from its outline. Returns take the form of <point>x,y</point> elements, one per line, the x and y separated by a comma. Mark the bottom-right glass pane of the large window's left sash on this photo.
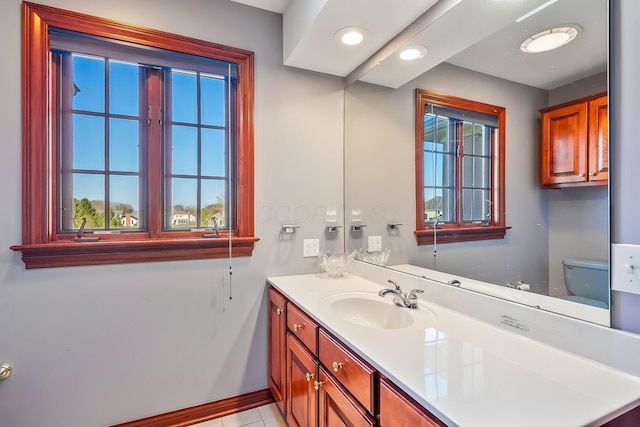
<point>123,201</point>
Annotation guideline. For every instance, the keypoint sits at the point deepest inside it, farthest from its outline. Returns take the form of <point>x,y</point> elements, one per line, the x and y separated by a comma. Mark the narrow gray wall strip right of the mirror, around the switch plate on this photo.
<point>625,148</point>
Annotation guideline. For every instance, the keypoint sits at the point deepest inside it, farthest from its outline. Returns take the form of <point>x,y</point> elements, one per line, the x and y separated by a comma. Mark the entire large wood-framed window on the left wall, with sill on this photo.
<point>138,144</point>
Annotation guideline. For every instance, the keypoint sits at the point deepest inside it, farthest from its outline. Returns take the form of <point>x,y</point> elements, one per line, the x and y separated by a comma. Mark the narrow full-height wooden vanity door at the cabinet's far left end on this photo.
<point>277,345</point>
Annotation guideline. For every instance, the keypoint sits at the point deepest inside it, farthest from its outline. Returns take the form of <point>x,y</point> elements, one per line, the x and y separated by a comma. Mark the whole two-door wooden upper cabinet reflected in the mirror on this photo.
<point>575,143</point>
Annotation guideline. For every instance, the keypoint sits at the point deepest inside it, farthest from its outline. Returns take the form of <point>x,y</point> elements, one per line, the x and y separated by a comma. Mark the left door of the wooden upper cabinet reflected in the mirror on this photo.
<point>563,154</point>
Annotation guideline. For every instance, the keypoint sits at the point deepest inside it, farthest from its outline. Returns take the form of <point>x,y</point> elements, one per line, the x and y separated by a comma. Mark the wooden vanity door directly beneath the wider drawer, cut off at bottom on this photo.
<point>337,407</point>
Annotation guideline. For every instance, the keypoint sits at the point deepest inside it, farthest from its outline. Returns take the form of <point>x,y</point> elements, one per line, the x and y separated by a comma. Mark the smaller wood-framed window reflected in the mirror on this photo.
<point>459,169</point>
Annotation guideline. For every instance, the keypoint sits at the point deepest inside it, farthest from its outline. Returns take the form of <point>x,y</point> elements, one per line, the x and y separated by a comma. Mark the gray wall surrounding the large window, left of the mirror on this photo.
<point>92,346</point>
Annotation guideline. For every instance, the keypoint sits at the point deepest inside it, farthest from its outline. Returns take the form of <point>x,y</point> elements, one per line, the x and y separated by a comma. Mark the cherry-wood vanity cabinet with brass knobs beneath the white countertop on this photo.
<point>321,381</point>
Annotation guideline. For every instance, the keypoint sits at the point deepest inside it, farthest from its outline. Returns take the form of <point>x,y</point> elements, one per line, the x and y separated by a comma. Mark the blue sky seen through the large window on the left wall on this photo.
<point>89,139</point>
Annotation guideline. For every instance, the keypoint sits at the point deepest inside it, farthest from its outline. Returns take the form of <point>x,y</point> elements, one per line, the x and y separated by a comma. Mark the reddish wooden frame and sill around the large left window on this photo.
<point>41,247</point>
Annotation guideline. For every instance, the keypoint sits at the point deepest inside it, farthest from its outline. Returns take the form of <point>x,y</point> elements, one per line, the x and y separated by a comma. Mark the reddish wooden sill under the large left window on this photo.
<point>67,254</point>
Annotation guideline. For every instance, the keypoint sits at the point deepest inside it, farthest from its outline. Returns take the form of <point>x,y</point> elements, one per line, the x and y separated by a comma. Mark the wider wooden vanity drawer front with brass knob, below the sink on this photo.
<point>354,374</point>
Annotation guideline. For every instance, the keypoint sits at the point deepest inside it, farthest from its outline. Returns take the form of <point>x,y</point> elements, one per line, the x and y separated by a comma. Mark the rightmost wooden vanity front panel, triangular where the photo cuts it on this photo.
<point>398,410</point>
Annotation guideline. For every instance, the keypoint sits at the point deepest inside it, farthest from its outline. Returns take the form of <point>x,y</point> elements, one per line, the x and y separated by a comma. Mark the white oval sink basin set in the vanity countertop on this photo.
<point>369,310</point>
